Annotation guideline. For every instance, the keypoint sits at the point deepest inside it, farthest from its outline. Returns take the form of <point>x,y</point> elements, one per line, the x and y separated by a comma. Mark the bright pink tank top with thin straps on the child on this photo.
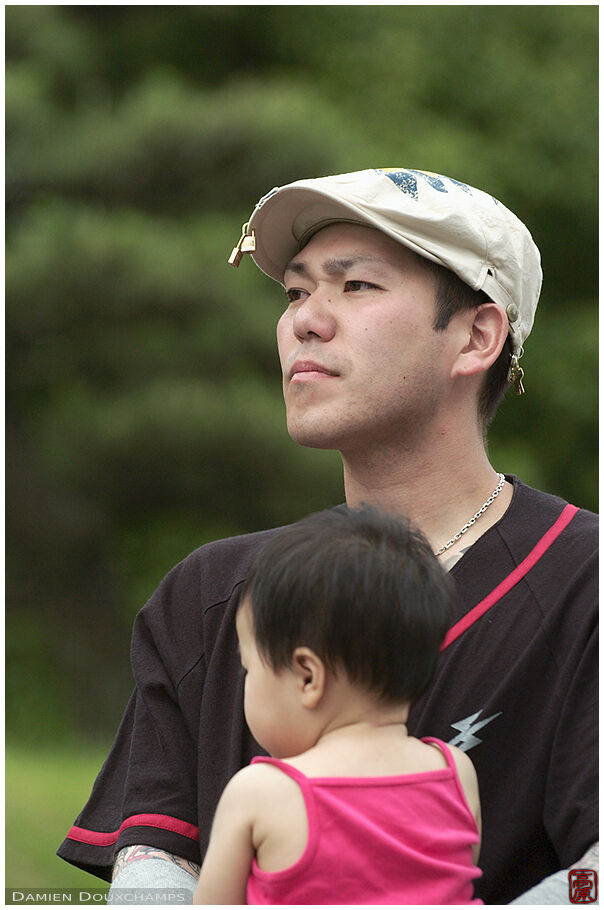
<point>378,840</point>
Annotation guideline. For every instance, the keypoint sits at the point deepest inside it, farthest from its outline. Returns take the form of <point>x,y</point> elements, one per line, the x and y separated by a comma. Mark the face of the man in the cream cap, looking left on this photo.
<point>362,365</point>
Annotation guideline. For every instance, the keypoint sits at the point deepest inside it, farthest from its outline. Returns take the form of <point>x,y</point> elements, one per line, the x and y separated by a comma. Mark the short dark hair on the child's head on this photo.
<point>362,589</point>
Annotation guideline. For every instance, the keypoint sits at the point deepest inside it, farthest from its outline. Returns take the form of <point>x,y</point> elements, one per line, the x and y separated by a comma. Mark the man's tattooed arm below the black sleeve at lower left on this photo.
<point>143,867</point>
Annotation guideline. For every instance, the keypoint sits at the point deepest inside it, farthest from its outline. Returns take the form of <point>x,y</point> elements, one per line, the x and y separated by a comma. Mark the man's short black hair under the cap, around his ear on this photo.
<point>452,296</point>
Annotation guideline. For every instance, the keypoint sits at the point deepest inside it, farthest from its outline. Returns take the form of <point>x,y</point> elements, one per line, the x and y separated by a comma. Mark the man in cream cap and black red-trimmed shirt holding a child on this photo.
<point>409,297</point>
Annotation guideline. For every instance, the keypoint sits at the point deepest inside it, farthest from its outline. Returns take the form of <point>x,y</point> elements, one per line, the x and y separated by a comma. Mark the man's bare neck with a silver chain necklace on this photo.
<point>438,486</point>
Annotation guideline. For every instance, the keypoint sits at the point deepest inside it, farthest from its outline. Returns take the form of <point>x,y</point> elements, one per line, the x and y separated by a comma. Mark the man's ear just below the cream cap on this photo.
<point>485,329</point>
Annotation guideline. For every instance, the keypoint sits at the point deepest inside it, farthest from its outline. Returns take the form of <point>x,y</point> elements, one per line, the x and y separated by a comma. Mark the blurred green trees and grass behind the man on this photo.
<point>143,402</point>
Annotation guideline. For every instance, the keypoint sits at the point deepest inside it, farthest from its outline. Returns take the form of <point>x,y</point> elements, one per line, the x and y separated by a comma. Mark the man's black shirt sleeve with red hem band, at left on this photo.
<point>146,791</point>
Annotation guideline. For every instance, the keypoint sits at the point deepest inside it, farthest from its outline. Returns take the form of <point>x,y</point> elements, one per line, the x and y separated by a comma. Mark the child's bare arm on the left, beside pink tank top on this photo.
<point>226,867</point>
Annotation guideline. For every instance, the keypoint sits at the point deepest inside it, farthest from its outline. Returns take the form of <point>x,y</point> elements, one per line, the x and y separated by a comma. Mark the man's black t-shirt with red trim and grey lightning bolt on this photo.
<point>517,690</point>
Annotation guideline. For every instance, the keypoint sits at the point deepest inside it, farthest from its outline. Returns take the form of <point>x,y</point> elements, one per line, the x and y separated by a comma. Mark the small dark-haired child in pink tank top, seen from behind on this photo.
<point>339,625</point>
